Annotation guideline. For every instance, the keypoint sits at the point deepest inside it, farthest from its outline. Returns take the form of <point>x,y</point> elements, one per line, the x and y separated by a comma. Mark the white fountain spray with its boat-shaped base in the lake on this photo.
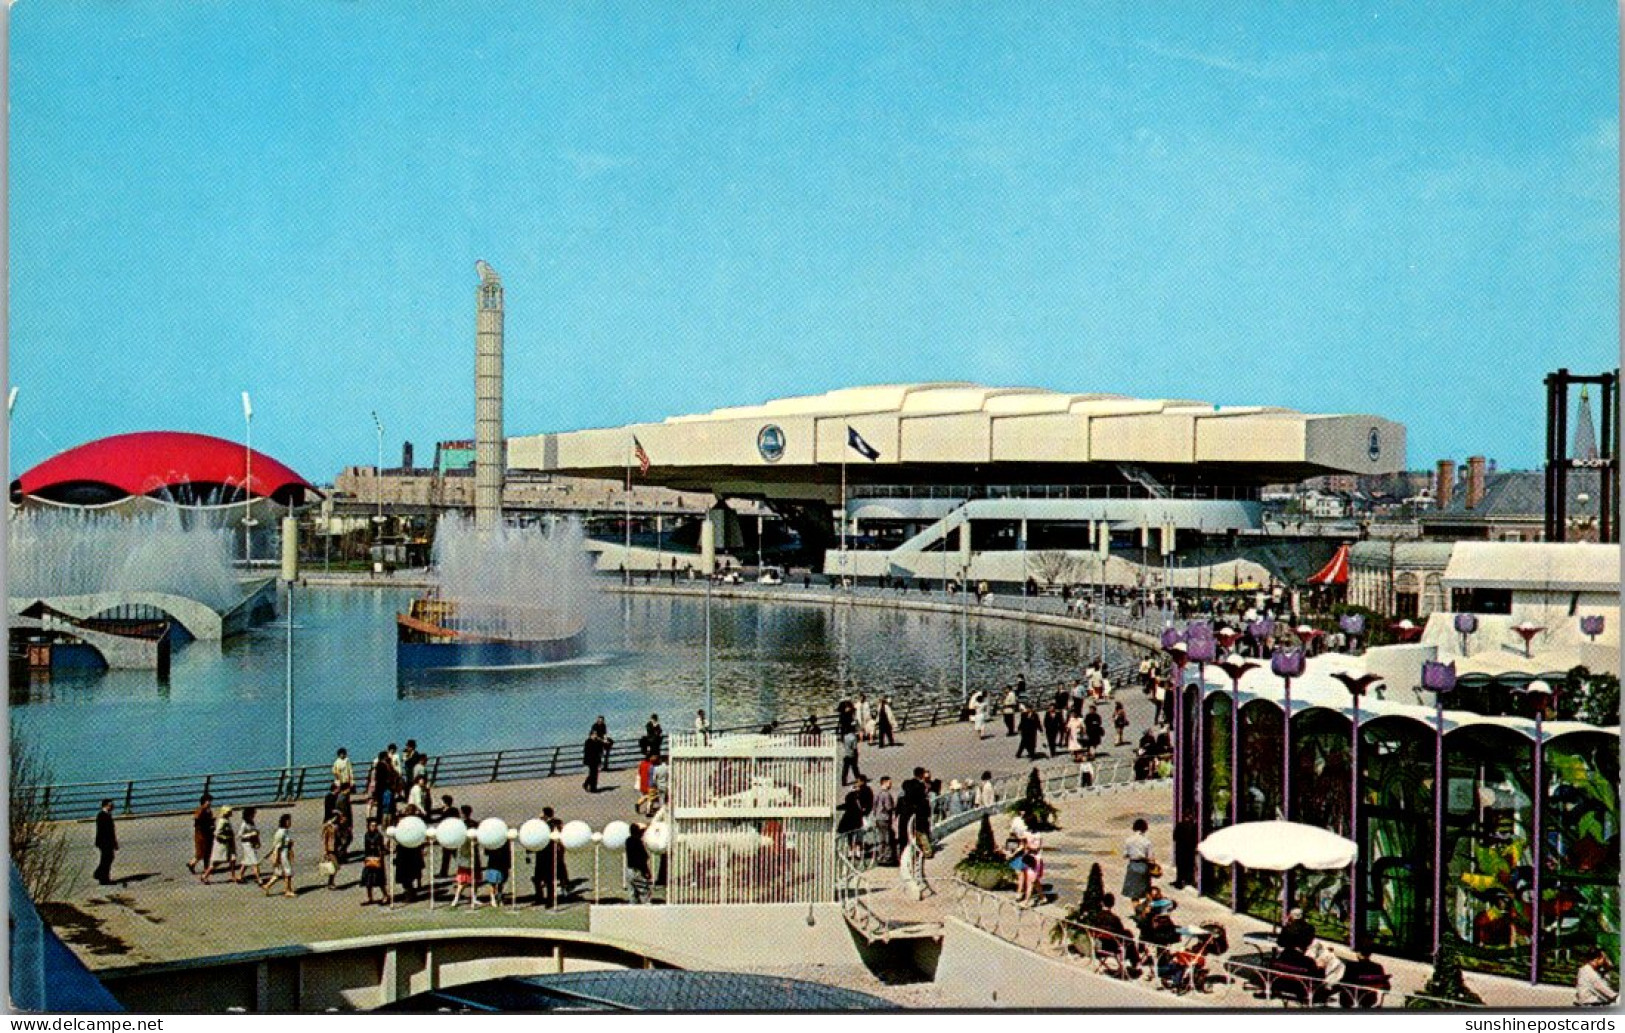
<point>505,599</point>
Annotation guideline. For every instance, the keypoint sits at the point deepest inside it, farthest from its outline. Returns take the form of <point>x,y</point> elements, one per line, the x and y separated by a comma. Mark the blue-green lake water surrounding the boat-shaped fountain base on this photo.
<point>223,706</point>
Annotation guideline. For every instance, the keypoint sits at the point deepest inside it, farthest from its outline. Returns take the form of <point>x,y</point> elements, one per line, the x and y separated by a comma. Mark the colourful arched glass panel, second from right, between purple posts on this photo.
<point>1489,867</point>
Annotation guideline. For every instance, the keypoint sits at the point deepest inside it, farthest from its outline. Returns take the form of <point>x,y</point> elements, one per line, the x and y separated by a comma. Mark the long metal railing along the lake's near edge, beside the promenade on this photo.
<point>180,793</point>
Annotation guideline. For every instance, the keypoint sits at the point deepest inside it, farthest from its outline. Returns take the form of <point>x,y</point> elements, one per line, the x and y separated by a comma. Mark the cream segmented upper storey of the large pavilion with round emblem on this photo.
<point>956,433</point>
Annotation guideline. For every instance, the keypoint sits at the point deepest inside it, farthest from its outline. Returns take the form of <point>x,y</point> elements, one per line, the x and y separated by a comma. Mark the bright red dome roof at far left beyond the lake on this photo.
<point>155,462</point>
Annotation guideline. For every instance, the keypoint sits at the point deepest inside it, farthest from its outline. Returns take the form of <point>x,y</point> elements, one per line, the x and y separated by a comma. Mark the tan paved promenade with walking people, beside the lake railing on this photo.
<point>160,912</point>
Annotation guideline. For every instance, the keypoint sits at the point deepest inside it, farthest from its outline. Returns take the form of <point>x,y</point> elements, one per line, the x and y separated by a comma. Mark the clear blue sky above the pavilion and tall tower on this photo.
<point>1395,209</point>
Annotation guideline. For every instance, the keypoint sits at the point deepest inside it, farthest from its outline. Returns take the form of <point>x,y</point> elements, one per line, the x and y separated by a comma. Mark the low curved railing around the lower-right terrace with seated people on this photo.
<point>1187,967</point>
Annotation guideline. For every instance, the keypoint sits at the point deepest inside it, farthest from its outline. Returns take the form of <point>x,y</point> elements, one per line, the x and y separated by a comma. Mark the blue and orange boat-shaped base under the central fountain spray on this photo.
<point>457,634</point>
